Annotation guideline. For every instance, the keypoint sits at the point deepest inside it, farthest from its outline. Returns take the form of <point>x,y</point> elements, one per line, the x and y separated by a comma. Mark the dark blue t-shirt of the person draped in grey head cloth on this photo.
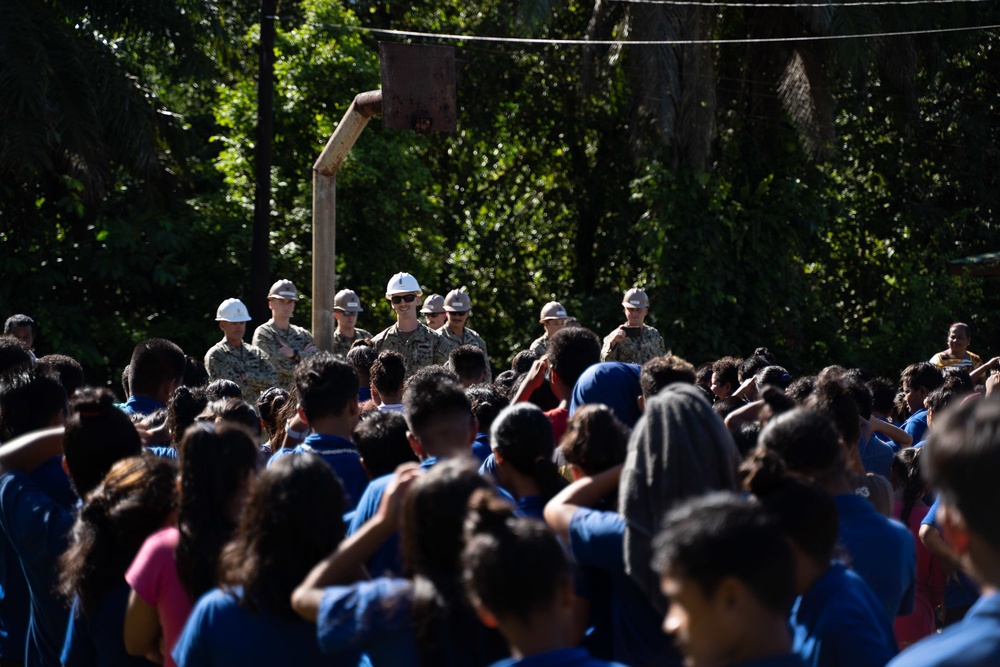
<point>597,540</point>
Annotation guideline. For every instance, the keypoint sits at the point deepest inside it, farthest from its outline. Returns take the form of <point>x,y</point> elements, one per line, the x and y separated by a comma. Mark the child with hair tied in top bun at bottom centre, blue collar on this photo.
<point>518,579</point>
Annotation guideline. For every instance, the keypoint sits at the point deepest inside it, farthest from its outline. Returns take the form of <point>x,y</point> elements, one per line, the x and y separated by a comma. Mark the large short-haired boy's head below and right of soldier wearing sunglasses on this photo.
<point>438,413</point>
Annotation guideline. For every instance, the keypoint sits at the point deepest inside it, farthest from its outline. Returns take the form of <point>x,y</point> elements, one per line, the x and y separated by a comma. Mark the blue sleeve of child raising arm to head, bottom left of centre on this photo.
<point>352,617</point>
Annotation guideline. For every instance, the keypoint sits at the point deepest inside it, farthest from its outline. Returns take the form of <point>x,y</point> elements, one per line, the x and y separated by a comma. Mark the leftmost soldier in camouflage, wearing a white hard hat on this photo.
<point>232,359</point>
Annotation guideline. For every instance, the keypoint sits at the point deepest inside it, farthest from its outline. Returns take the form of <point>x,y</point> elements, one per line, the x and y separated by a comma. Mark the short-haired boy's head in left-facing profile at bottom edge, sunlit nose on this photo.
<point>726,568</point>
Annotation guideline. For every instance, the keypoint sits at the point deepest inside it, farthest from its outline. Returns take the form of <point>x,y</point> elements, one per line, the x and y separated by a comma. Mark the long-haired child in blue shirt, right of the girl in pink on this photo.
<point>291,520</point>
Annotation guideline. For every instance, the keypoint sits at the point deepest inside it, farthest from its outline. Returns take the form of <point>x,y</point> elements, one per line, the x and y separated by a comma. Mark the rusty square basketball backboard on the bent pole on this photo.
<point>418,87</point>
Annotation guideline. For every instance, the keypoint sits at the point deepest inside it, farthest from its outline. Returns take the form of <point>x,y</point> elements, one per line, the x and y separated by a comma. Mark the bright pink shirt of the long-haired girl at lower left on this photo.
<point>153,577</point>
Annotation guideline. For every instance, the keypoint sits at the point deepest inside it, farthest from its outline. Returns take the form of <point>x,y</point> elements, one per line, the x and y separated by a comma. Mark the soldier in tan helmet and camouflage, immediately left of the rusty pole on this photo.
<point>284,344</point>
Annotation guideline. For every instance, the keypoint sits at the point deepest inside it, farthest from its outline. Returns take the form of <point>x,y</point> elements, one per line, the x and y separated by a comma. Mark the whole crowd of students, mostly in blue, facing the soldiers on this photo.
<point>724,515</point>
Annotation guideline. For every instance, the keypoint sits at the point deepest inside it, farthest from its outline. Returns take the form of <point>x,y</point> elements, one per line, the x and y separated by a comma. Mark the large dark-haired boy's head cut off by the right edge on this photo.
<point>962,462</point>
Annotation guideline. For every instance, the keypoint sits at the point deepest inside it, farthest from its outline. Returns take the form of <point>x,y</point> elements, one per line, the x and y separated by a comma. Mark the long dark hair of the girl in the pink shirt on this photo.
<point>215,462</point>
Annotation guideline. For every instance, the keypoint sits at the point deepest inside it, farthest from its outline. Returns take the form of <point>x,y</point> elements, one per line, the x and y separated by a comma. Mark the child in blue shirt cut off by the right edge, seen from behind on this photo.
<point>962,461</point>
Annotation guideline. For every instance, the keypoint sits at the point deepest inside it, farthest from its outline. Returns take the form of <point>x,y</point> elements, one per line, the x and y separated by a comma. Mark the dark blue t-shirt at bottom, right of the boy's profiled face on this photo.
<point>840,623</point>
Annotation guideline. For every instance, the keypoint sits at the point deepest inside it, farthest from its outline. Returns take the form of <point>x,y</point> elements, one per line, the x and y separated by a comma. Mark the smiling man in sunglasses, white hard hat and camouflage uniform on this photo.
<point>418,344</point>
